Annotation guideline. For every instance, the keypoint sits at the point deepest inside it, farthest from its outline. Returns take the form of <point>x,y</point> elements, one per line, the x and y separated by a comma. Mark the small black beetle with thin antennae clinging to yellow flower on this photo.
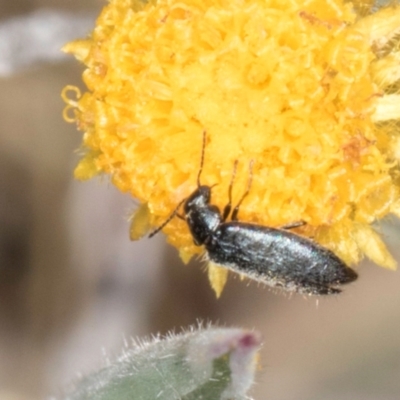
<point>277,257</point>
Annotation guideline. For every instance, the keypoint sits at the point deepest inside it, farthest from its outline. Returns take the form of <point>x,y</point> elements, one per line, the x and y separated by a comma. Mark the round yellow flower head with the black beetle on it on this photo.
<point>308,90</point>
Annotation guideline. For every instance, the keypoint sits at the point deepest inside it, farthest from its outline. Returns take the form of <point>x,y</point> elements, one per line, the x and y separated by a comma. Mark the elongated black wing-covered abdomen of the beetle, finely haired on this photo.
<point>278,258</point>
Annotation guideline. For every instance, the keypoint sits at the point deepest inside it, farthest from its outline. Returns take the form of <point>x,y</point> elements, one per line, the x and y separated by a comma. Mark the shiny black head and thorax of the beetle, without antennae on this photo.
<point>201,217</point>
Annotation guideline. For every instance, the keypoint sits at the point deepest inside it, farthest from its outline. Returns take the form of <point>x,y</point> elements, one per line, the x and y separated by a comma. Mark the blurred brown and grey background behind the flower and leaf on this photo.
<point>72,285</point>
